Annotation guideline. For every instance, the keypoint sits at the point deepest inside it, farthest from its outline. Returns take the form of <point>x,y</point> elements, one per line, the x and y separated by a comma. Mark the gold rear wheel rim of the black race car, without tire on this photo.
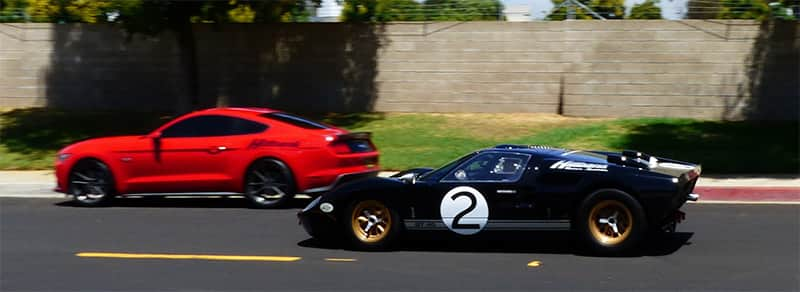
<point>610,222</point>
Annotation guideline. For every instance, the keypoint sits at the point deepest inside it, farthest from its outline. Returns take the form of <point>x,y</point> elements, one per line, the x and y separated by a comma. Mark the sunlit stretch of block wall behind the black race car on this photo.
<point>696,69</point>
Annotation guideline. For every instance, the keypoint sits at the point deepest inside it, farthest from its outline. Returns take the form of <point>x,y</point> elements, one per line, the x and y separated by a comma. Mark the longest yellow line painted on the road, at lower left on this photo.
<point>187,257</point>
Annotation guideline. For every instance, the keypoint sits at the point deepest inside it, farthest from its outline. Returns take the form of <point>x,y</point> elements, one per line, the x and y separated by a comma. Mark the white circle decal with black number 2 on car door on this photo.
<point>464,210</point>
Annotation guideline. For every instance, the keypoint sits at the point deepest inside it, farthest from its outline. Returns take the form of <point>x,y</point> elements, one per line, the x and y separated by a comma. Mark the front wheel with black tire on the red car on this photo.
<point>91,183</point>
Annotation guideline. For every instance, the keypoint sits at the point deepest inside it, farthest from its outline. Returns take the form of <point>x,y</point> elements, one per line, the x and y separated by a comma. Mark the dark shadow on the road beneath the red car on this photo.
<point>234,202</point>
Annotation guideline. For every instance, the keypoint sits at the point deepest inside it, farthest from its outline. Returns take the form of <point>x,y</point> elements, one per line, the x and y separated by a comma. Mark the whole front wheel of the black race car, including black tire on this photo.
<point>366,226</point>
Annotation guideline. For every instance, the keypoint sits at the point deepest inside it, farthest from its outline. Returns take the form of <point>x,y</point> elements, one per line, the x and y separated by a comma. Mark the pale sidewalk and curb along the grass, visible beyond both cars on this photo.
<point>748,188</point>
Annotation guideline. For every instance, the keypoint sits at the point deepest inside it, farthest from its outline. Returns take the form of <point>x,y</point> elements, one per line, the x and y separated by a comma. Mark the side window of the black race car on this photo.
<point>491,166</point>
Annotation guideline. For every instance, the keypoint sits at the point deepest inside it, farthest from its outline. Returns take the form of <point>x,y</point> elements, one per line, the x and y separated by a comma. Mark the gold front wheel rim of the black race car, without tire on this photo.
<point>371,221</point>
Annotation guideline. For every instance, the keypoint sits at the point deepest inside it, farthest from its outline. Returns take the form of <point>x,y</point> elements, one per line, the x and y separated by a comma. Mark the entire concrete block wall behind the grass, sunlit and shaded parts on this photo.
<point>705,69</point>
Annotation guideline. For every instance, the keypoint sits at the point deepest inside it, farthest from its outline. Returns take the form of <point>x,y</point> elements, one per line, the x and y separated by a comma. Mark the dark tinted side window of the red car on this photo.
<point>211,126</point>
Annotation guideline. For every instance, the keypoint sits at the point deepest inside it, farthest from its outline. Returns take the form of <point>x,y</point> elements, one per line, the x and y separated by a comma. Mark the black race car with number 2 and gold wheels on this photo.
<point>610,200</point>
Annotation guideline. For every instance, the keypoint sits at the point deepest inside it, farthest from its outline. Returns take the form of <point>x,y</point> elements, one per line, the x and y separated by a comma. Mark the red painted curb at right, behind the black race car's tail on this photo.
<point>751,194</point>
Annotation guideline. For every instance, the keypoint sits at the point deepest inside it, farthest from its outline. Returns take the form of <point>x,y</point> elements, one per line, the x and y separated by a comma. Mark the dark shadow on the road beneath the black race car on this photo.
<point>528,242</point>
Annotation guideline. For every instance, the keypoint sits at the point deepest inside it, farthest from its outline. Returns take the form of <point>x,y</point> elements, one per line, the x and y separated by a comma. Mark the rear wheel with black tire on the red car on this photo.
<point>268,183</point>
